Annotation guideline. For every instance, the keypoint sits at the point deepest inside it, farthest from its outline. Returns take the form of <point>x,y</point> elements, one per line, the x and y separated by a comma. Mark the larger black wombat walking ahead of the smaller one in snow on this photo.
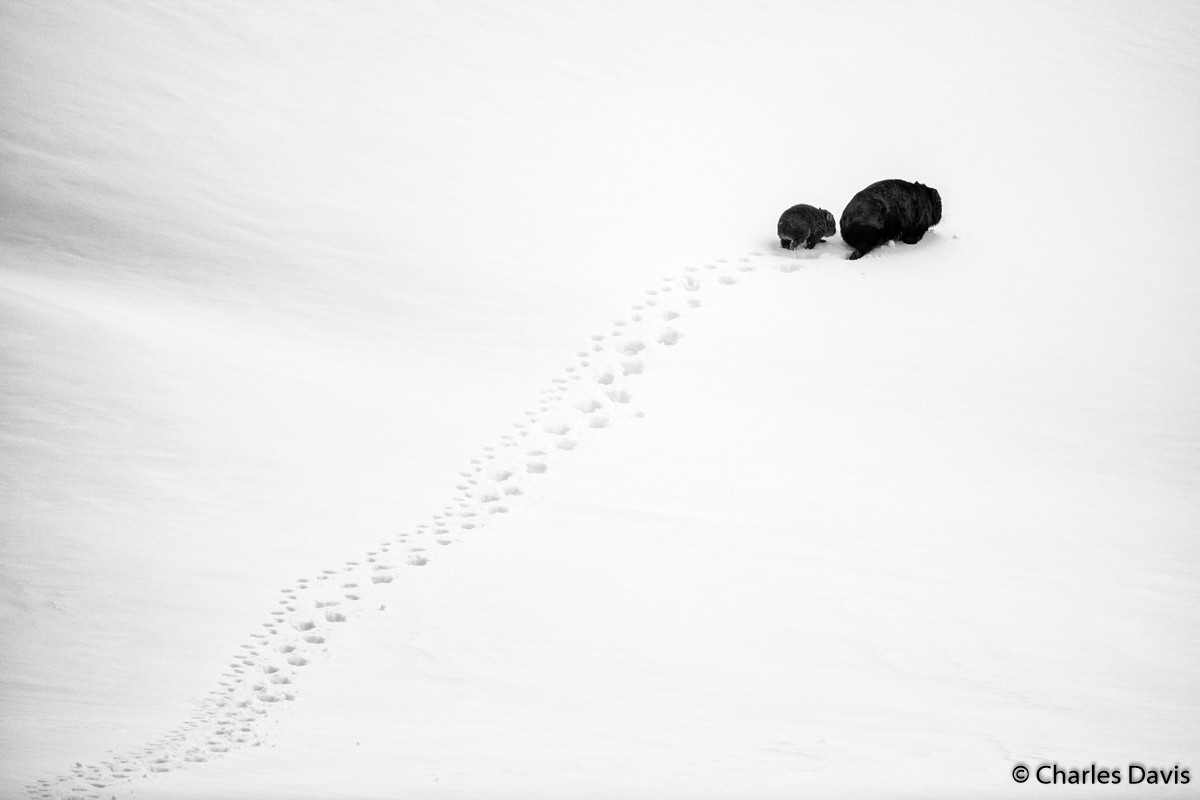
<point>889,210</point>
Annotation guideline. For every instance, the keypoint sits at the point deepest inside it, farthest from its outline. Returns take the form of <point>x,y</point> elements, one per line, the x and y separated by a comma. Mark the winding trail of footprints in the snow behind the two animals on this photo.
<point>592,394</point>
